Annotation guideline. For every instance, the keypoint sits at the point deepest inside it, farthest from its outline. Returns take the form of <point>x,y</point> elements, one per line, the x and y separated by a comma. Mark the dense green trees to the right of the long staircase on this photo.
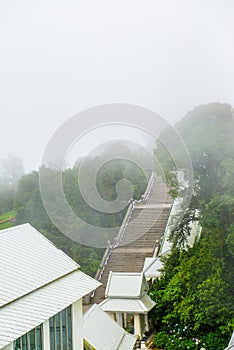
<point>194,296</point>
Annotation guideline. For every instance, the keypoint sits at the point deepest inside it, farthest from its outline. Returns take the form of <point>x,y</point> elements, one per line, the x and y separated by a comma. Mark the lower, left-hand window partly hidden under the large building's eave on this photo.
<point>30,341</point>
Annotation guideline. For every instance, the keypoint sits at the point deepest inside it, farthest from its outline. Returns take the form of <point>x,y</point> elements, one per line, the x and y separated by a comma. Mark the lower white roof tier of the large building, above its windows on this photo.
<point>24,314</point>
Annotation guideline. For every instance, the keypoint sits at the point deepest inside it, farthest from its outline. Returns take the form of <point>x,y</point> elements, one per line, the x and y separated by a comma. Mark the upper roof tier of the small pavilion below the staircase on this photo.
<point>126,285</point>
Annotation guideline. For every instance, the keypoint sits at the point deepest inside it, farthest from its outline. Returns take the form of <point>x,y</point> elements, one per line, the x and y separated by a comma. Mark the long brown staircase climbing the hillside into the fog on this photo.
<point>142,228</point>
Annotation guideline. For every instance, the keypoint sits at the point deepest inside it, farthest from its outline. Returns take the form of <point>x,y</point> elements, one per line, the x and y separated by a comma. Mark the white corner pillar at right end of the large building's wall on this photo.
<point>77,334</point>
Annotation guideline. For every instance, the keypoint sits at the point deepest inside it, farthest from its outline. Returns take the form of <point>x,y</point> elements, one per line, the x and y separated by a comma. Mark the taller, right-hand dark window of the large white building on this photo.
<point>60,331</point>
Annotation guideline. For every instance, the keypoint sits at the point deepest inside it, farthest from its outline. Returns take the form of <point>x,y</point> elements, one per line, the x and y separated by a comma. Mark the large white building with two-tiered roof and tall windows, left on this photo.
<point>41,293</point>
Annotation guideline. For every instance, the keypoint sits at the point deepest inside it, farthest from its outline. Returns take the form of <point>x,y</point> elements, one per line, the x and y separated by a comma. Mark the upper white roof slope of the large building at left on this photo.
<point>28,261</point>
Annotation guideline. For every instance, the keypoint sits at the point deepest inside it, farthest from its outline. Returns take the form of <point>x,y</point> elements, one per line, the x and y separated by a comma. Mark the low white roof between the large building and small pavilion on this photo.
<point>103,333</point>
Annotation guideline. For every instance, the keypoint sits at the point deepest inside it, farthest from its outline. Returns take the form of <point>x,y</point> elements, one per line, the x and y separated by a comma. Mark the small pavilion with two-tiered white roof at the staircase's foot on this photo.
<point>127,301</point>
